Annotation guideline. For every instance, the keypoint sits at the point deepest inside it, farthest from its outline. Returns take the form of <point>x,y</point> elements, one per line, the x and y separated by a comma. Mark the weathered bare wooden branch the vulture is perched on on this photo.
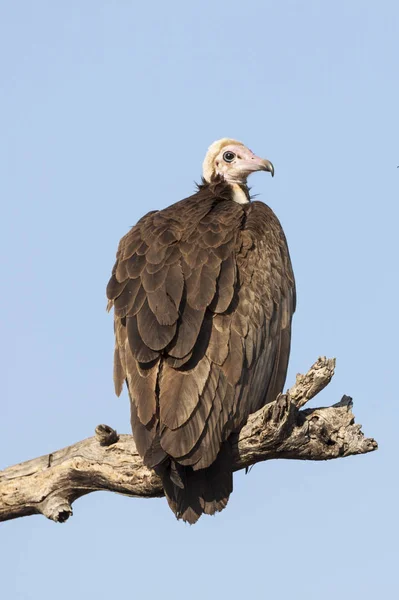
<point>50,484</point>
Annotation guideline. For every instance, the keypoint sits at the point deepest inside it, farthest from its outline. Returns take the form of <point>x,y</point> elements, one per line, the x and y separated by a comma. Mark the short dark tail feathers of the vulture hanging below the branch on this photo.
<point>193,493</point>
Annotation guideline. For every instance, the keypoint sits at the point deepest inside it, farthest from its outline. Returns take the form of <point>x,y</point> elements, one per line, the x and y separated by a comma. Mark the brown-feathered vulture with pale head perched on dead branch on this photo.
<point>203,295</point>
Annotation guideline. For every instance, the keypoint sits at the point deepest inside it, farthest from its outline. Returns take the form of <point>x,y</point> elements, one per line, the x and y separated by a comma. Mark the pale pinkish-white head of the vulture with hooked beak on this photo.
<point>233,161</point>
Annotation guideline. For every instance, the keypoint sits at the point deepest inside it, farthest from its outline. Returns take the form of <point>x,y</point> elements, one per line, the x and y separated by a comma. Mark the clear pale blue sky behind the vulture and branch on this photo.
<point>107,109</point>
